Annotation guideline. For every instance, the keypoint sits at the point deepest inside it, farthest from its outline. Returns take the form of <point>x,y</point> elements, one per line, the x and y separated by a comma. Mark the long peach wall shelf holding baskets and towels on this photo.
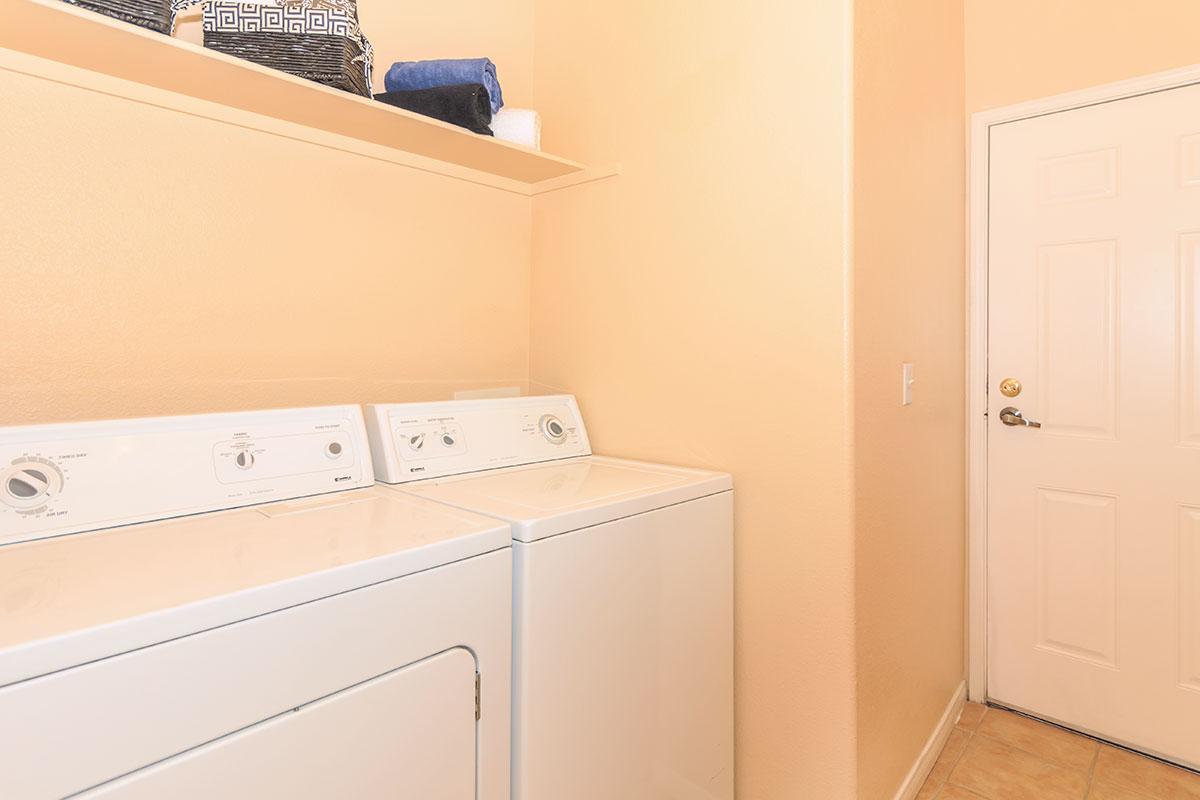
<point>61,33</point>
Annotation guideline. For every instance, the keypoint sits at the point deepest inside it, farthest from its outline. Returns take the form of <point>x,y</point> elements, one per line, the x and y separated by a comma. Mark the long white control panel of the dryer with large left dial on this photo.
<point>65,479</point>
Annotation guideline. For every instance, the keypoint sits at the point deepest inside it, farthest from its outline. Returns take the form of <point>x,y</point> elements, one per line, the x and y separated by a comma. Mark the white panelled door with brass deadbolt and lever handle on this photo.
<point>1094,519</point>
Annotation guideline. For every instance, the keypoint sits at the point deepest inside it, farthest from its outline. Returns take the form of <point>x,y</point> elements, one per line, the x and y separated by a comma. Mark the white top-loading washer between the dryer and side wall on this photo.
<point>623,594</point>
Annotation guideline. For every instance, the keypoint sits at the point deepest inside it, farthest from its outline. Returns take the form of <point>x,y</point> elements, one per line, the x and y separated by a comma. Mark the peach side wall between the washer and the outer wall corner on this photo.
<point>698,305</point>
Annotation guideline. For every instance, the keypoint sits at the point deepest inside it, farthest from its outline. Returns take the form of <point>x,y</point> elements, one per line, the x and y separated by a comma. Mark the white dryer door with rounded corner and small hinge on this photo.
<point>409,733</point>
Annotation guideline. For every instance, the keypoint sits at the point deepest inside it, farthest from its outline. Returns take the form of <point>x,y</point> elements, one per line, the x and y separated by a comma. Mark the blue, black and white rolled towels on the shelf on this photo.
<point>461,92</point>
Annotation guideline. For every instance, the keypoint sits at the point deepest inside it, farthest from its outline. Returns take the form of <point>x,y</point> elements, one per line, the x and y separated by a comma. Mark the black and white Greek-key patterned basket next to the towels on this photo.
<point>319,40</point>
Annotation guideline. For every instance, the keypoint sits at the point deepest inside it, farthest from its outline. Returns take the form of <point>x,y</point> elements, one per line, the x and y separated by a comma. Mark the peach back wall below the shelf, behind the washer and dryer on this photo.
<point>157,262</point>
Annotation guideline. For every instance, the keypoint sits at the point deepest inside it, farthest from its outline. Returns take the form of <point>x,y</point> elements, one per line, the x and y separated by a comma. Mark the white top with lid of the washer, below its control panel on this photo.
<point>542,501</point>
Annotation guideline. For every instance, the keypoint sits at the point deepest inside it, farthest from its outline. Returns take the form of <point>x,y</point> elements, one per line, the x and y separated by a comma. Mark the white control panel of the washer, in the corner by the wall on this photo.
<point>412,442</point>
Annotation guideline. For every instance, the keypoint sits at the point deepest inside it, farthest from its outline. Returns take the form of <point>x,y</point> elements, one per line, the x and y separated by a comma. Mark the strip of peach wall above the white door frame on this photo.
<point>1023,50</point>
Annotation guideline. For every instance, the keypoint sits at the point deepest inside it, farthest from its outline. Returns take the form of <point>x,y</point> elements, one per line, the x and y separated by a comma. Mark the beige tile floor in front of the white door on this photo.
<point>995,755</point>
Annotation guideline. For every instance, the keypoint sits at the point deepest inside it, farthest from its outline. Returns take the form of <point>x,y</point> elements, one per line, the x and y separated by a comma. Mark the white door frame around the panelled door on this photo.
<point>977,332</point>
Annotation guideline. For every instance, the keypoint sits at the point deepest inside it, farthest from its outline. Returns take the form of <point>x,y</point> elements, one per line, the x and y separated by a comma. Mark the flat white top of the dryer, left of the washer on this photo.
<point>75,599</point>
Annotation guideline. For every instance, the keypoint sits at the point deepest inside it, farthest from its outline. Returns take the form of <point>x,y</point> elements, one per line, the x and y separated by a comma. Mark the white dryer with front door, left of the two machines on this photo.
<point>286,629</point>
